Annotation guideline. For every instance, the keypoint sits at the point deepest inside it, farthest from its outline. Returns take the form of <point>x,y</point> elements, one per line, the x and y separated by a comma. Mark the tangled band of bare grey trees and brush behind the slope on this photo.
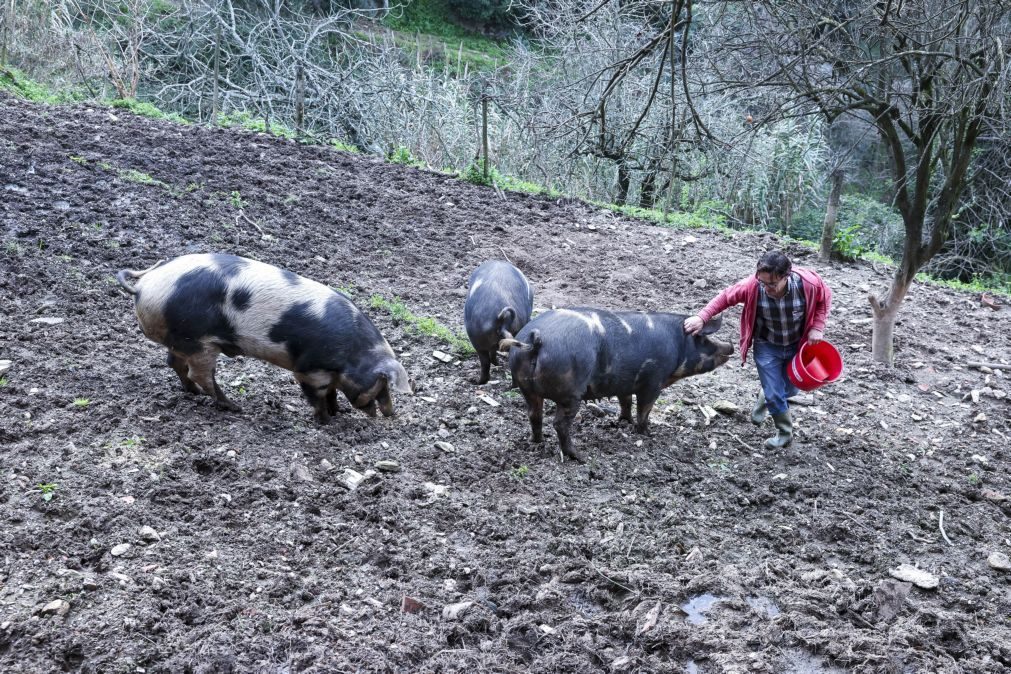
<point>746,107</point>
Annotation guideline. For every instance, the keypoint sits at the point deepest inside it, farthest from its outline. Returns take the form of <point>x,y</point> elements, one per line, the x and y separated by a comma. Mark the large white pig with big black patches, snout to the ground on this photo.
<point>202,306</point>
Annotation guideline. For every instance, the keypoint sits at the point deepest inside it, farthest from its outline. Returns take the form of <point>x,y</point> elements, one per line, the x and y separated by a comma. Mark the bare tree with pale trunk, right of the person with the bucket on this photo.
<point>933,75</point>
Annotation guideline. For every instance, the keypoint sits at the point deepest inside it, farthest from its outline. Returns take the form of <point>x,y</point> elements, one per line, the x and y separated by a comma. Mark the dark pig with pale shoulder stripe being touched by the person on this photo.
<point>584,354</point>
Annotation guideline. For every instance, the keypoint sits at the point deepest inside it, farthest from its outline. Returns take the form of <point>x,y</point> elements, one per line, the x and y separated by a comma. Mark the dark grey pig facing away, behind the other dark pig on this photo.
<point>499,305</point>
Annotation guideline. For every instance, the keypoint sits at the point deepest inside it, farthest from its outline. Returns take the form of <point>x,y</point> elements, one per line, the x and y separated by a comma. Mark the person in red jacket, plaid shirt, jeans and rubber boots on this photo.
<point>784,308</point>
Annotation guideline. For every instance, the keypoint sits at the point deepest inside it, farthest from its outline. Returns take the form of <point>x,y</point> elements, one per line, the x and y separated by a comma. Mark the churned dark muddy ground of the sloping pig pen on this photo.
<point>691,550</point>
